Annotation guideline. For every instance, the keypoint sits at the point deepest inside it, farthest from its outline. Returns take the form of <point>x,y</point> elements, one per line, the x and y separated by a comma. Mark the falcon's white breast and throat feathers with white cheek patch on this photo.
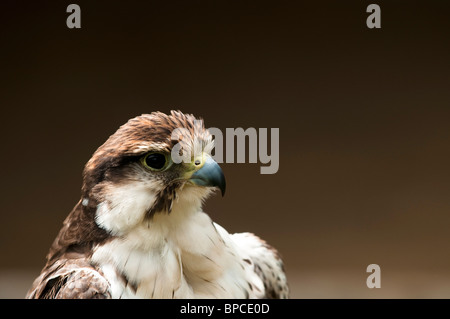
<point>178,255</point>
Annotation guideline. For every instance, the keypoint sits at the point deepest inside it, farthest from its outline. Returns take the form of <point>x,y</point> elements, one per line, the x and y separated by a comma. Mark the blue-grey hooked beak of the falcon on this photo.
<point>210,175</point>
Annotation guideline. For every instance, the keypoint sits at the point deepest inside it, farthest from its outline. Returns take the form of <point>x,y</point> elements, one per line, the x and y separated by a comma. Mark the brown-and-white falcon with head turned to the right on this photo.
<point>139,231</point>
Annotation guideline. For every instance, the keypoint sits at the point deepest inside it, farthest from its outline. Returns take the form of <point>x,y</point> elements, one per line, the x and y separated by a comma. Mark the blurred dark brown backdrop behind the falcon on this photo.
<point>363,115</point>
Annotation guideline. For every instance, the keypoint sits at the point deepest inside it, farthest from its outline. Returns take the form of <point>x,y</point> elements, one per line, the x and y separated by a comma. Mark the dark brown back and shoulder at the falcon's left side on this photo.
<point>68,272</point>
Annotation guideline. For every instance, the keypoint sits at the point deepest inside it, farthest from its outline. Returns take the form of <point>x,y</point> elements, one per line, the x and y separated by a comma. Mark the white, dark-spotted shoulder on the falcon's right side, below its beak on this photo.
<point>267,264</point>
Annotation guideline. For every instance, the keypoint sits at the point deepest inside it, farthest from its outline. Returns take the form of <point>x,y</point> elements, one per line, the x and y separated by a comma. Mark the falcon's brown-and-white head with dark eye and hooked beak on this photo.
<point>133,176</point>
